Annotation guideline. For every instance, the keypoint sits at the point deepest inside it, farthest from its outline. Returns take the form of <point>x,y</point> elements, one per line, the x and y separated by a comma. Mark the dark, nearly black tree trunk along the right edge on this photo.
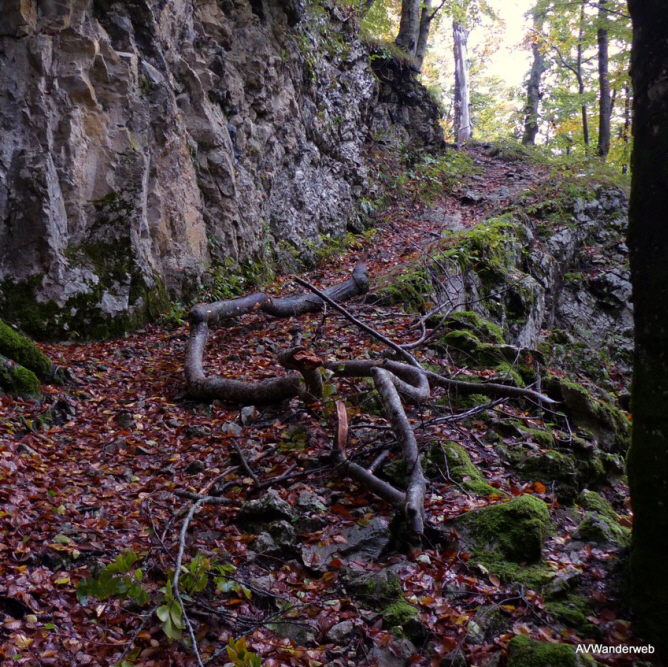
<point>648,242</point>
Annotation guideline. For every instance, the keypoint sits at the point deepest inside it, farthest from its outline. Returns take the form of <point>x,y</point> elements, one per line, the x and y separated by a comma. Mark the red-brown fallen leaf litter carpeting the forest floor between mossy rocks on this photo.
<point>90,473</point>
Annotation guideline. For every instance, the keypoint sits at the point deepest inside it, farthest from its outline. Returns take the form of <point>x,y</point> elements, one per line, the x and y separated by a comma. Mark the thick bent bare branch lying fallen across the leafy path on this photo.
<point>393,380</point>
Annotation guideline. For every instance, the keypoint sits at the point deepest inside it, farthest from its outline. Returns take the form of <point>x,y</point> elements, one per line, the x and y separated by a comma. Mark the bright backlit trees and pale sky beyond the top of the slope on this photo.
<point>575,97</point>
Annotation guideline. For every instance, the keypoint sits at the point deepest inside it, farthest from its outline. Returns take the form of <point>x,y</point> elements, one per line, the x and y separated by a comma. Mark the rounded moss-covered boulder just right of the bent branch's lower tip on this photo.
<point>512,531</point>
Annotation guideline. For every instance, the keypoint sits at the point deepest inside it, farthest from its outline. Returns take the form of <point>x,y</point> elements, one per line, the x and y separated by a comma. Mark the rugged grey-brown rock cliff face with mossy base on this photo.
<point>142,138</point>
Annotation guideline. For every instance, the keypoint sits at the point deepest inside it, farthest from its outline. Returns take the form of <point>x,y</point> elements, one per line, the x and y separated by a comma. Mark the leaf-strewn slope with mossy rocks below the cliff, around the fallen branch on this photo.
<point>508,271</point>
